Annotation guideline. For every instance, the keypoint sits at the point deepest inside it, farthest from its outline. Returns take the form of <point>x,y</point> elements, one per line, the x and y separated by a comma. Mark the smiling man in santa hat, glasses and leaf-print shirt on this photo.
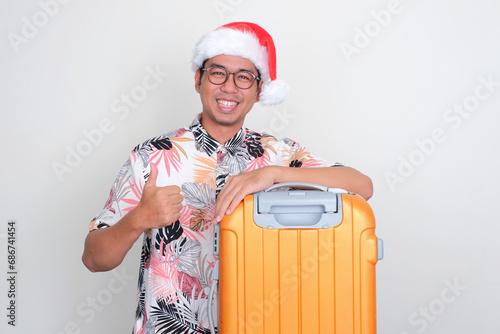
<point>175,187</point>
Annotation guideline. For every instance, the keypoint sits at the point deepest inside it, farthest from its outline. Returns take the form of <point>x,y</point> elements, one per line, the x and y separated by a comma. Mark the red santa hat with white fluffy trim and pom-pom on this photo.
<point>250,41</point>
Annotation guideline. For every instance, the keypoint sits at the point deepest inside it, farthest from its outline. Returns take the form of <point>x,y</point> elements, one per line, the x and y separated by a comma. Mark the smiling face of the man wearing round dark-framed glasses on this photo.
<point>225,106</point>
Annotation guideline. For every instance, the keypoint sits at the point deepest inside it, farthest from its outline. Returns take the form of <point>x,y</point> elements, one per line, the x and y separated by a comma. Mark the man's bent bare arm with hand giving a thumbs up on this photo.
<point>106,248</point>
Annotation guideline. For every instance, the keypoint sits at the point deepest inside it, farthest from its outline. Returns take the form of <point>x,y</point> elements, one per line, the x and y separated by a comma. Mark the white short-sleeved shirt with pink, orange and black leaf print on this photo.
<point>177,260</point>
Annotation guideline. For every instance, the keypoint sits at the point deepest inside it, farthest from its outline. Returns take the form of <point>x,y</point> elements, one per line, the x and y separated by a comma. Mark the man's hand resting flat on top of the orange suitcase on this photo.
<point>238,186</point>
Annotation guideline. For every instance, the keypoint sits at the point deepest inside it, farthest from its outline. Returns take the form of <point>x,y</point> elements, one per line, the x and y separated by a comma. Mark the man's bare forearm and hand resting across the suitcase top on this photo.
<point>238,186</point>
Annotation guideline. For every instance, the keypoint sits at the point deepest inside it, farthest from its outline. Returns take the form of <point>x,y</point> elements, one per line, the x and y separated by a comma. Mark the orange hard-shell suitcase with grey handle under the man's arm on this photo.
<point>297,261</point>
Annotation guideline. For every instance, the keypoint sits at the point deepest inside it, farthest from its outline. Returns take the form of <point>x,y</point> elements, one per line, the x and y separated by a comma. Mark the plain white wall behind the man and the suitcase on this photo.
<point>386,105</point>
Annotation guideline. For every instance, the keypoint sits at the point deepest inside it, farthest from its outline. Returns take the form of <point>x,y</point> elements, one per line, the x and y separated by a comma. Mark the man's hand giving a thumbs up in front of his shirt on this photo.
<point>159,206</point>
